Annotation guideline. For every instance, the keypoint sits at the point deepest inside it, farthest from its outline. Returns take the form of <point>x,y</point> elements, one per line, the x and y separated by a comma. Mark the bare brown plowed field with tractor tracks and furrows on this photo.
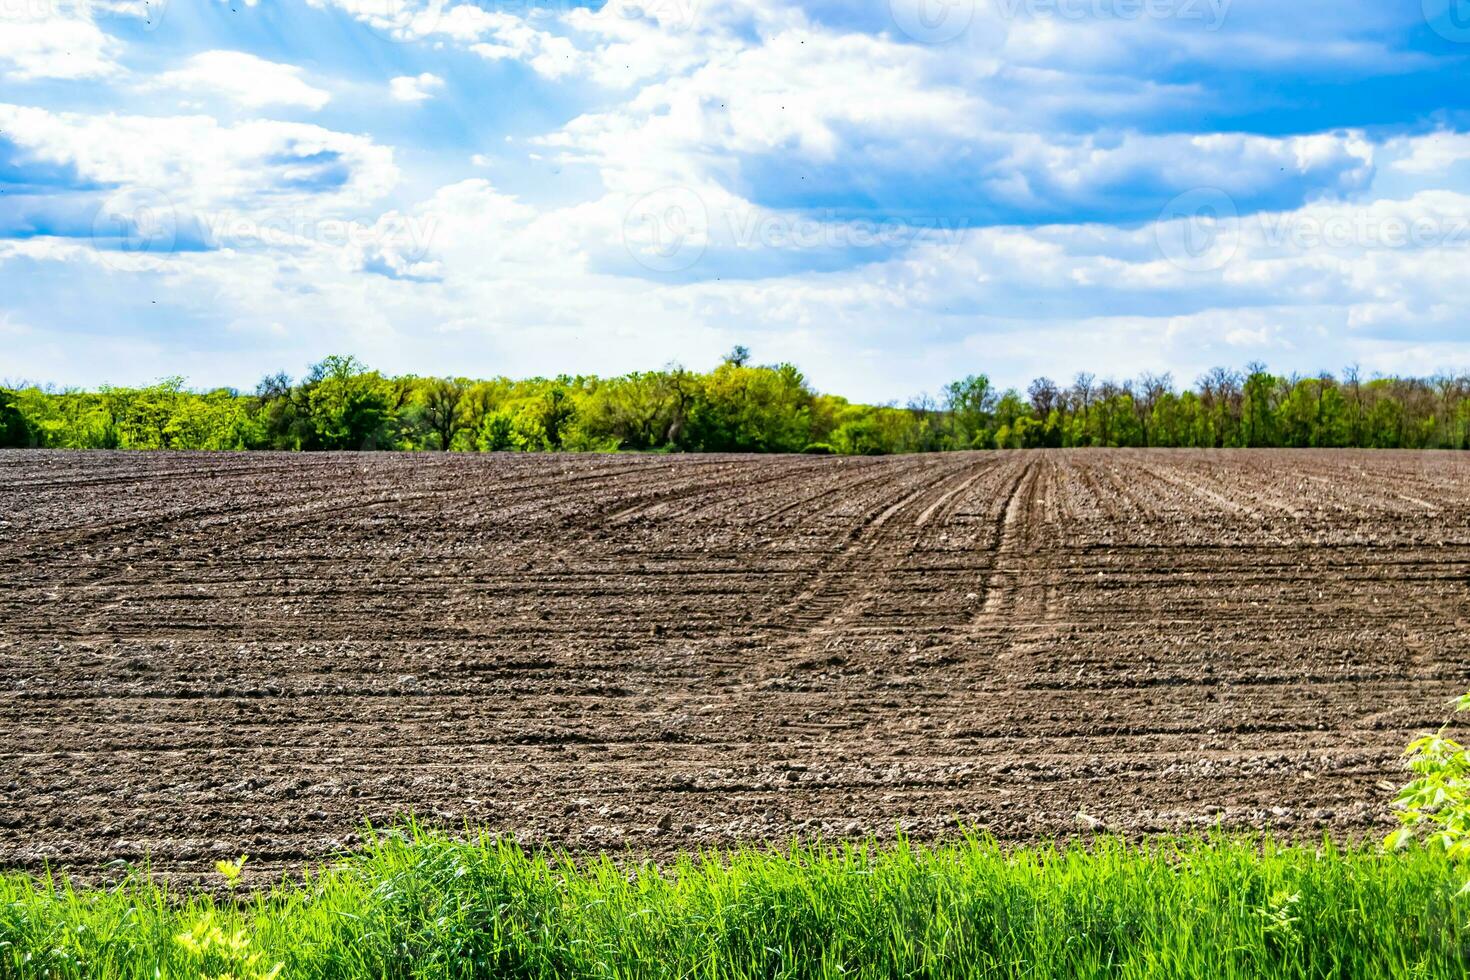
<point>207,655</point>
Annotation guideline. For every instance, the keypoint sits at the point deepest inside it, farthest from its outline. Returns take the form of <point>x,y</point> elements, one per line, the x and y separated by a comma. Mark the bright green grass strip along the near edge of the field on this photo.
<point>423,906</point>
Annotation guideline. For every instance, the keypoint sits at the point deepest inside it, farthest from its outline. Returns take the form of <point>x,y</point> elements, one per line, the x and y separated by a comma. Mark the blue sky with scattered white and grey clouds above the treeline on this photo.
<point>889,193</point>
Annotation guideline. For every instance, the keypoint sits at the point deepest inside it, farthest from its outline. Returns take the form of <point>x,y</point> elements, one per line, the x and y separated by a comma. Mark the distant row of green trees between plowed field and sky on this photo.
<point>740,408</point>
